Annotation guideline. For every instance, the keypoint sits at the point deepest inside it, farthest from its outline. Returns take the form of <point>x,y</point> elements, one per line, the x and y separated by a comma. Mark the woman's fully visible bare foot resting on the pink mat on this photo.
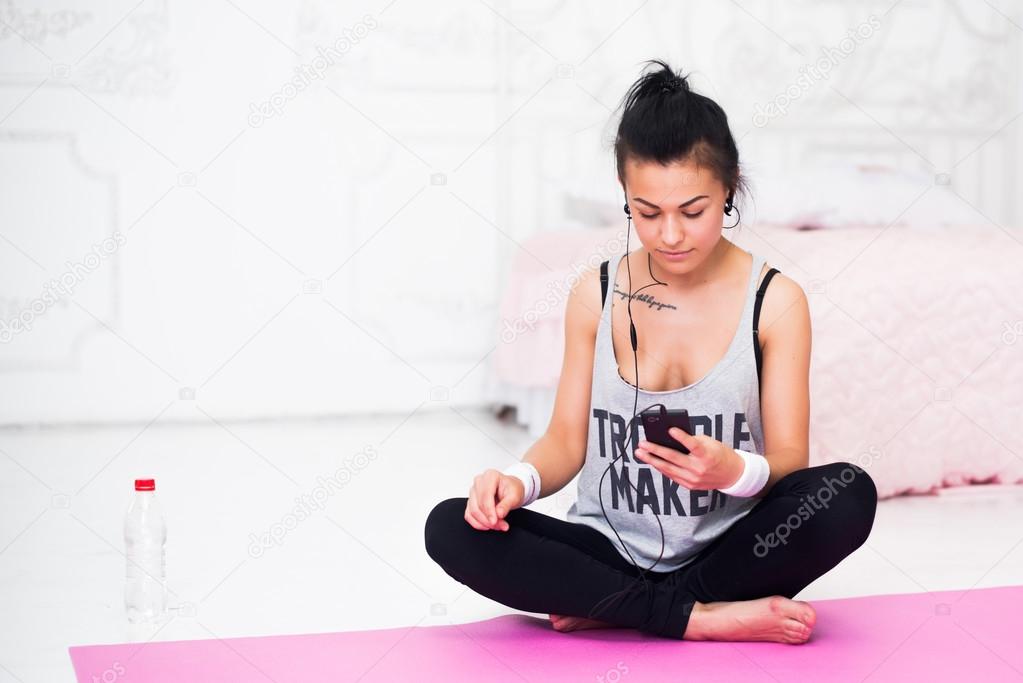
<point>776,619</point>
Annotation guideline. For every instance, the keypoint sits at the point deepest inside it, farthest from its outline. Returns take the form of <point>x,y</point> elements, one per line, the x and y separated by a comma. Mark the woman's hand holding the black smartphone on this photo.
<point>710,465</point>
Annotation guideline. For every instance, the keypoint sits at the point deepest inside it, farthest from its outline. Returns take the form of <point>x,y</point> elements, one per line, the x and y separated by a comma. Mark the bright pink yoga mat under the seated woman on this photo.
<point>948,635</point>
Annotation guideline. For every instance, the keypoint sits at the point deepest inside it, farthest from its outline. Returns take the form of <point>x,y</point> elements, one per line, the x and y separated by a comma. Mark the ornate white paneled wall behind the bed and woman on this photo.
<point>346,253</point>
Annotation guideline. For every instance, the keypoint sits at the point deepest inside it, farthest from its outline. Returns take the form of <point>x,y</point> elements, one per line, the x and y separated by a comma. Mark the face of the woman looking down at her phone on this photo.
<point>676,208</point>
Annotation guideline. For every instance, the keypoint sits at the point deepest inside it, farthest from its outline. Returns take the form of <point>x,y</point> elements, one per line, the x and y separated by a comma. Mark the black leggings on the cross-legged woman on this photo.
<point>807,524</point>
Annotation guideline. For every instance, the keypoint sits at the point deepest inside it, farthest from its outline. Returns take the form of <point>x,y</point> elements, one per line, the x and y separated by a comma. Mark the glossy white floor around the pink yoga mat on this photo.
<point>357,561</point>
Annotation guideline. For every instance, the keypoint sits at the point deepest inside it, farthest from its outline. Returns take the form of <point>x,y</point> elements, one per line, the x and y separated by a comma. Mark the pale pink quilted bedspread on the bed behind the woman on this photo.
<point>917,370</point>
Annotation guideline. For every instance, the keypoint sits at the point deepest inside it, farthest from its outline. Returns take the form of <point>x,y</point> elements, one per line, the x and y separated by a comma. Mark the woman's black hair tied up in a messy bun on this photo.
<point>663,121</point>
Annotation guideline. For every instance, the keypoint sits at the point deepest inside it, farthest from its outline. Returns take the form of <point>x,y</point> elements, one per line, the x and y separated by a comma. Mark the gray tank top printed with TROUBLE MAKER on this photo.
<point>725,404</point>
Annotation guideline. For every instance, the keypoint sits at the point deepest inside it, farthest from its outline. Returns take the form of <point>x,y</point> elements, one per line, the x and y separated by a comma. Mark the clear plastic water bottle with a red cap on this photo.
<point>146,539</point>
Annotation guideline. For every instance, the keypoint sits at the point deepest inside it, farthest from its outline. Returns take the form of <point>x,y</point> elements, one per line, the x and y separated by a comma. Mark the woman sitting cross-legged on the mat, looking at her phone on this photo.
<point>709,540</point>
